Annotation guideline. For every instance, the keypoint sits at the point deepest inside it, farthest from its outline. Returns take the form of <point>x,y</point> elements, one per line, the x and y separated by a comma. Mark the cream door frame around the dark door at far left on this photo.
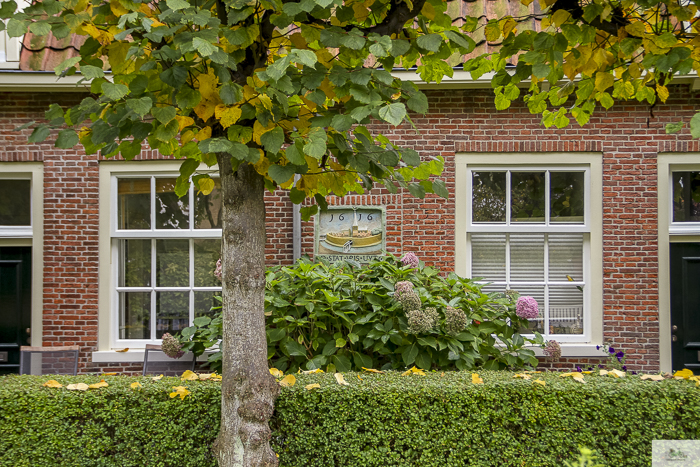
<point>33,237</point>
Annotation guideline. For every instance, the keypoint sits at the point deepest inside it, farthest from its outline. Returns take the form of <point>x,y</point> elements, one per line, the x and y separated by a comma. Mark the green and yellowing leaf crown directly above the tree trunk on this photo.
<point>285,86</point>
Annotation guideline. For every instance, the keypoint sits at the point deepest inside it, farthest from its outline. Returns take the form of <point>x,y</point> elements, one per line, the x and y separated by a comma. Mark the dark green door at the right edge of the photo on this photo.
<point>685,306</point>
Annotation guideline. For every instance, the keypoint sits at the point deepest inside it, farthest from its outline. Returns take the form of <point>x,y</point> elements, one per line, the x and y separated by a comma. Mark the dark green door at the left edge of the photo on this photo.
<point>15,304</point>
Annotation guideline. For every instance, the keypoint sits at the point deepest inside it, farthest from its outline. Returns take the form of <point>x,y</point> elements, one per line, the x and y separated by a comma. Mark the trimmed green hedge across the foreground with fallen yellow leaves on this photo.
<point>381,420</point>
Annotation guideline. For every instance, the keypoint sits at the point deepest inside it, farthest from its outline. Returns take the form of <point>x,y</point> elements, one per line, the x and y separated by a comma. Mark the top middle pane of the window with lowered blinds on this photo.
<point>527,197</point>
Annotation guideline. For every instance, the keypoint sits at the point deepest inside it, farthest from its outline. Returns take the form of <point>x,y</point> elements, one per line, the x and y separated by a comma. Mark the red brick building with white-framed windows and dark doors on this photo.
<point>615,218</point>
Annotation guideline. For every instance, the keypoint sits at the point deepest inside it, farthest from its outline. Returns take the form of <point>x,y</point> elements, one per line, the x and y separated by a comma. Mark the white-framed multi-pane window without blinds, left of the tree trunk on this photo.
<point>164,251</point>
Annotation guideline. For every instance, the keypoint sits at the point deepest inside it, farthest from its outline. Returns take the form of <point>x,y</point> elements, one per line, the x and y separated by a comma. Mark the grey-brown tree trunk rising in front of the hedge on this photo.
<point>248,391</point>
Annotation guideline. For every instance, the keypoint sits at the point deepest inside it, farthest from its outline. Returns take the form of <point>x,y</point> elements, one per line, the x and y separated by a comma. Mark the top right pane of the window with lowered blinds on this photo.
<point>566,197</point>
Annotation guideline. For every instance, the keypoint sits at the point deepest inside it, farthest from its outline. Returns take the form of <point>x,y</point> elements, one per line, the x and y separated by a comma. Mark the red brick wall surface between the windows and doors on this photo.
<point>458,121</point>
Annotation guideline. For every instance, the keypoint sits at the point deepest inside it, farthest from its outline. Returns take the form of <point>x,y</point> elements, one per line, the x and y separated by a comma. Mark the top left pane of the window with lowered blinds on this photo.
<point>488,196</point>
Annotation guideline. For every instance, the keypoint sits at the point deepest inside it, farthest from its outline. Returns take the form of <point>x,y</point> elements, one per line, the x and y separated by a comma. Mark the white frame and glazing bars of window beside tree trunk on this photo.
<point>110,236</point>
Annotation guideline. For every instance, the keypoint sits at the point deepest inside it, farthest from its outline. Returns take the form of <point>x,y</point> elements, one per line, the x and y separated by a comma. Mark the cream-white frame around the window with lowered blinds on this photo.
<point>591,164</point>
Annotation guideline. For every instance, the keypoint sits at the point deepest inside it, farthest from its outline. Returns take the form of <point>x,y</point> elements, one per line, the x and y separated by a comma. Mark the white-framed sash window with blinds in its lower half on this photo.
<point>529,230</point>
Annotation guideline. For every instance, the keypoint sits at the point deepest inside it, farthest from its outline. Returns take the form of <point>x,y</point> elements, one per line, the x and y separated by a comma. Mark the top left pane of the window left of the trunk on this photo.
<point>134,204</point>
